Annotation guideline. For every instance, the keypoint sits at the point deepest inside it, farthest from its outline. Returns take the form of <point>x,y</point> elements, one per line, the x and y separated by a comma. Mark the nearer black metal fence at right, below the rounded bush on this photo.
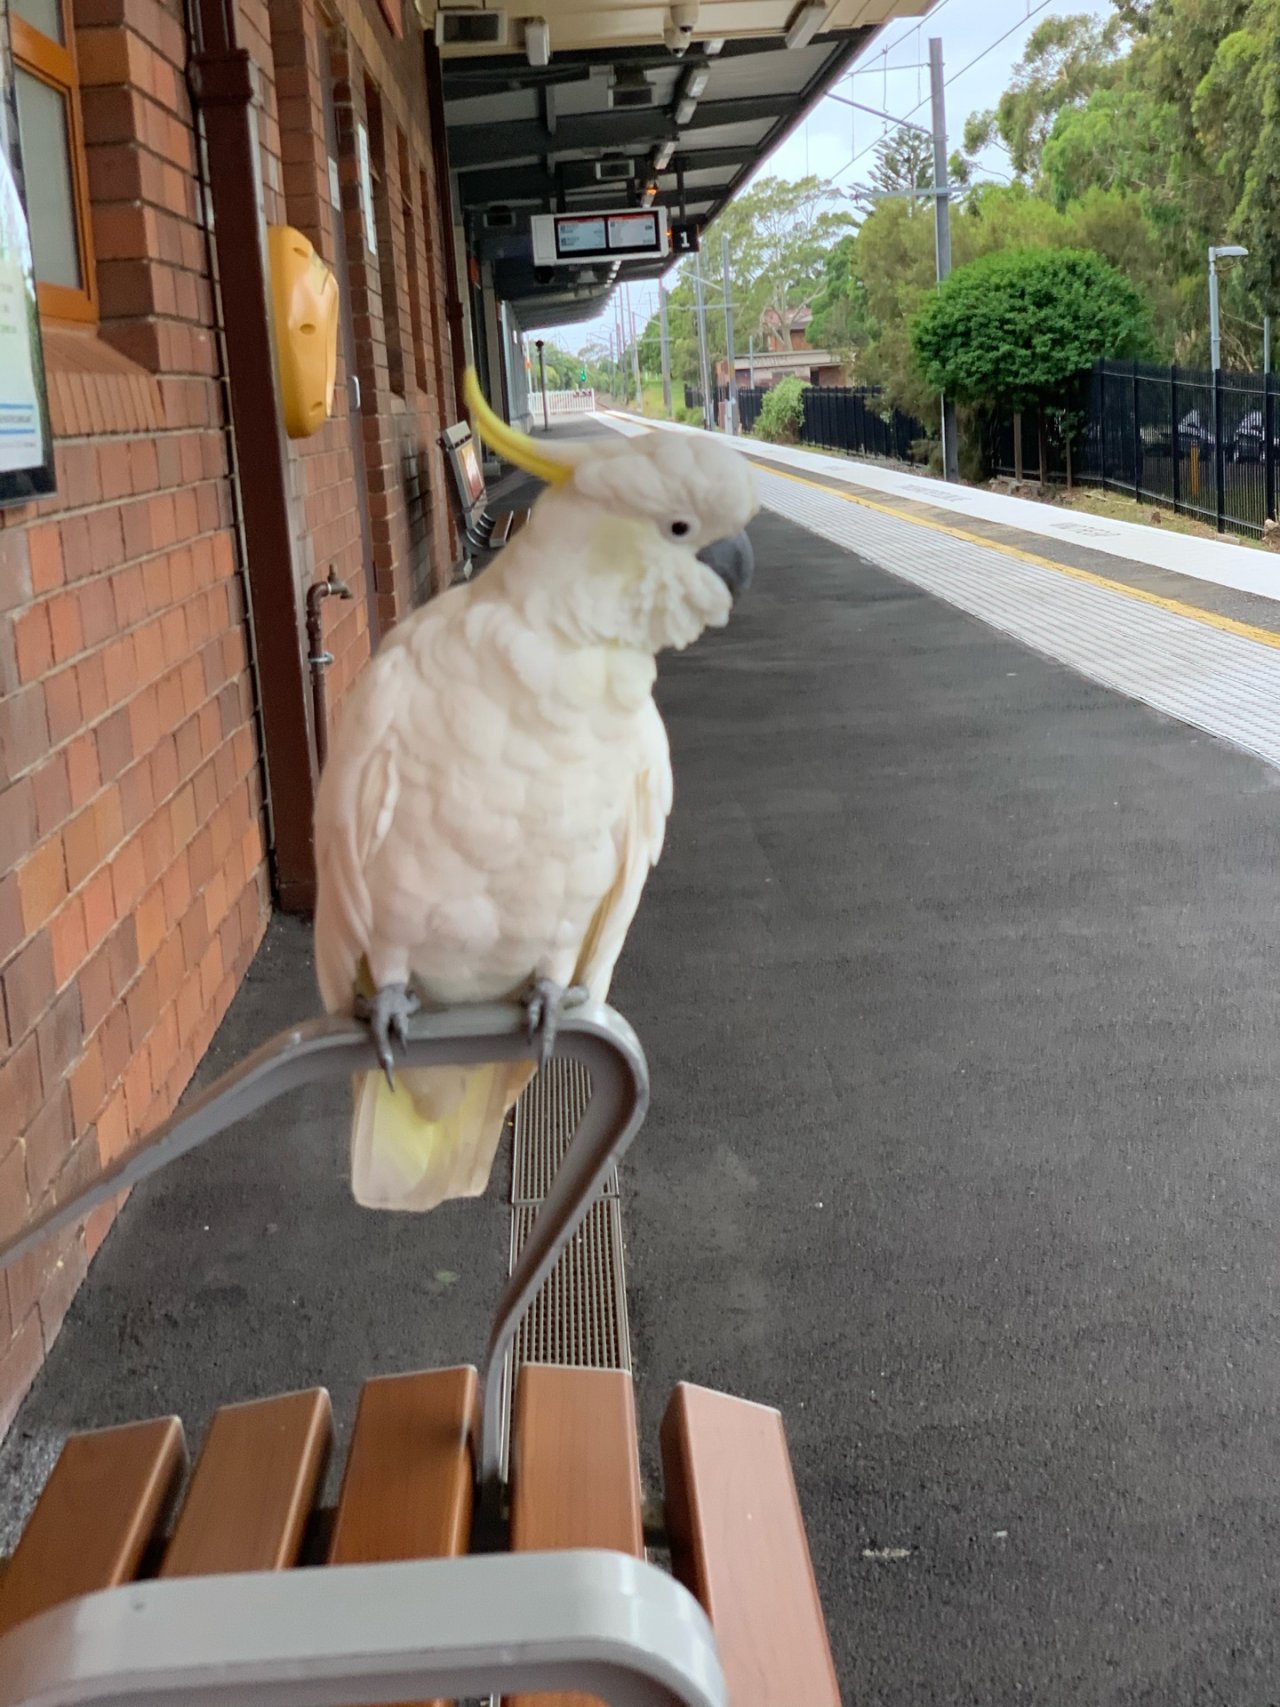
<point>1204,445</point>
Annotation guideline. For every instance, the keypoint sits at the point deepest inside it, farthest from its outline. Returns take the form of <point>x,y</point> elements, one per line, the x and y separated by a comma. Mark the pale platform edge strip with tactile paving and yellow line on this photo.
<point>1190,627</point>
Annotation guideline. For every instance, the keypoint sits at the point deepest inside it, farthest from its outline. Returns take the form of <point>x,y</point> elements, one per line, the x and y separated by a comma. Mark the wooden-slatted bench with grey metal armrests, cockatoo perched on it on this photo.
<point>141,1580</point>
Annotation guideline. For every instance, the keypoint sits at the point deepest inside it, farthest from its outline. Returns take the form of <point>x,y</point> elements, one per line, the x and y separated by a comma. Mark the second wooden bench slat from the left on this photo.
<point>253,1488</point>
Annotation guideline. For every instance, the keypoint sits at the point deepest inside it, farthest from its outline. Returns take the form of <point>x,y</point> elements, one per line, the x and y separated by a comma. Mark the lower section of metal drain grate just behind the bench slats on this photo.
<point>581,1314</point>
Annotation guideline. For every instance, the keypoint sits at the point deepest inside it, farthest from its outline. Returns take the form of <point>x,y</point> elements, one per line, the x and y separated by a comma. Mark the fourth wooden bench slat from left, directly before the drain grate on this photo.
<point>576,1472</point>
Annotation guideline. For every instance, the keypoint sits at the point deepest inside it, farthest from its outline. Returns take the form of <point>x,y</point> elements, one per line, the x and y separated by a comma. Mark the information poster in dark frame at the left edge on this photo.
<point>26,443</point>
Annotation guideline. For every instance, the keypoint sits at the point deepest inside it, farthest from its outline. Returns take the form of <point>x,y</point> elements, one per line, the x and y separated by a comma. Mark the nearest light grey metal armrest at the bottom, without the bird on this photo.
<point>591,1623</point>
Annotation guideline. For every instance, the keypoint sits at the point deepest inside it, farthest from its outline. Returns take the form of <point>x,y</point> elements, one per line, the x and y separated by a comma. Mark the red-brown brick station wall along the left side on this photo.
<point>134,882</point>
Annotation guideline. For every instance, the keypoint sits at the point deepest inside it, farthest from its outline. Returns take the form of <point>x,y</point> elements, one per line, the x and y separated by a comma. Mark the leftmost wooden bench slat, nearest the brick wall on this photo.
<point>107,1500</point>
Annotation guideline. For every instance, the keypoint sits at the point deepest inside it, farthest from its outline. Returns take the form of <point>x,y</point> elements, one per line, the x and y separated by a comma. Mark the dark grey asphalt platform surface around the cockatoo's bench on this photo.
<point>962,996</point>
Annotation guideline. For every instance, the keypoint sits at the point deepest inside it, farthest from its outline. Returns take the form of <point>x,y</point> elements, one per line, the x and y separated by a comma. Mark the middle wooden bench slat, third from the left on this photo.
<point>409,1484</point>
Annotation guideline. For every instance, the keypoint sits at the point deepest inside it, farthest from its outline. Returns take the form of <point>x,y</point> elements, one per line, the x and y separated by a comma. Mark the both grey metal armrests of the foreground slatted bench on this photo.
<point>603,1624</point>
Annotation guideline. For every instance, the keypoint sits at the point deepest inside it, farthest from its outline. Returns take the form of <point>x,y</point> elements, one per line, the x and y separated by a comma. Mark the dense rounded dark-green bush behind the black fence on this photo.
<point>1020,327</point>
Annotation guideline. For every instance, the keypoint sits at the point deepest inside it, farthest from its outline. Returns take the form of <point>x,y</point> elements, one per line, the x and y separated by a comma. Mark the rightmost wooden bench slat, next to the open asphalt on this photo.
<point>738,1542</point>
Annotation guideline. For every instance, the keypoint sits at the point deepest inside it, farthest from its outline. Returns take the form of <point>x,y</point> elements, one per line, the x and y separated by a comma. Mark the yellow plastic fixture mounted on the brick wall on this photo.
<point>305,308</point>
